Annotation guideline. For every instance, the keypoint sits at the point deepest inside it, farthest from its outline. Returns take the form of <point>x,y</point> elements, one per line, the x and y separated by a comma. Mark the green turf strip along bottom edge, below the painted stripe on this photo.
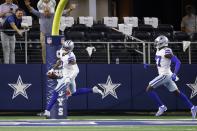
<point>131,128</point>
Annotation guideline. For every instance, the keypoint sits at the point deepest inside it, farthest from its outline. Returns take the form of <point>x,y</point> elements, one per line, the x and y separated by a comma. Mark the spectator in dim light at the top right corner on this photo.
<point>189,21</point>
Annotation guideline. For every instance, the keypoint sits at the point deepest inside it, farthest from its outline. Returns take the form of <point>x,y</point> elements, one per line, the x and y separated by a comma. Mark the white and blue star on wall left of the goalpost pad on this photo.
<point>19,88</point>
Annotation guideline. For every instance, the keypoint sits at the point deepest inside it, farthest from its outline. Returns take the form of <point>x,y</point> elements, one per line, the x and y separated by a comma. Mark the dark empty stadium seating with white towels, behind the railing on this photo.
<point>87,33</point>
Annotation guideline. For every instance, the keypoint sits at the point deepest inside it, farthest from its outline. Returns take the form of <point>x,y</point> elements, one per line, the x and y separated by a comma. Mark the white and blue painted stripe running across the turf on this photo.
<point>98,122</point>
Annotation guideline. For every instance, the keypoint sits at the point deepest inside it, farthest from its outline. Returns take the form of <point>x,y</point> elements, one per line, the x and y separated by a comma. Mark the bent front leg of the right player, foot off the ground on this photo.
<point>159,80</point>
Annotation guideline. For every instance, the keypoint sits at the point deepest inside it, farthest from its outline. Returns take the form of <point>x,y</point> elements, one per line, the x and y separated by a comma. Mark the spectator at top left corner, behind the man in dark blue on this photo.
<point>7,9</point>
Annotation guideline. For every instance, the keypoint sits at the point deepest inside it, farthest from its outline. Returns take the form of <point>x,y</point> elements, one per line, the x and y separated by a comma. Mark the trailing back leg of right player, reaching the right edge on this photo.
<point>172,87</point>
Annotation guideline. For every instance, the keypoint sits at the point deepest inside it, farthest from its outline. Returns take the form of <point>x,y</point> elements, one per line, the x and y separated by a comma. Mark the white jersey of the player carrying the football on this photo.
<point>66,59</point>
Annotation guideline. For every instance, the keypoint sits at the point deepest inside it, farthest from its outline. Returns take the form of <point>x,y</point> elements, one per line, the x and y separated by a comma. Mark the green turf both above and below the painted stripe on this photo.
<point>100,128</point>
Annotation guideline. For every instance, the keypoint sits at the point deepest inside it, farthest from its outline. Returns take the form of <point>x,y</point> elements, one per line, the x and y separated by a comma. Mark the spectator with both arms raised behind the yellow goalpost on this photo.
<point>46,21</point>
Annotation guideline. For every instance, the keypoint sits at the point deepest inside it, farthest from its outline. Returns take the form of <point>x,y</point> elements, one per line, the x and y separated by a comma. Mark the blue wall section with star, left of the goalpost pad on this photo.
<point>29,74</point>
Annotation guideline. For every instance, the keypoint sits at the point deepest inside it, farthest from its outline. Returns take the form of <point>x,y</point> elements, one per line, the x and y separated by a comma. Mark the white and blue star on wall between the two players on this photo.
<point>109,88</point>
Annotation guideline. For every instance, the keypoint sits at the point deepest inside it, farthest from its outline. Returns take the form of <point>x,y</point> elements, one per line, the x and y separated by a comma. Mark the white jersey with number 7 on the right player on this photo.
<point>163,63</point>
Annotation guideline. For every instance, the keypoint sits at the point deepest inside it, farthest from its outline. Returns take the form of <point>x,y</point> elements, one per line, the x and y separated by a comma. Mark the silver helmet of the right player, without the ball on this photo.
<point>161,41</point>
